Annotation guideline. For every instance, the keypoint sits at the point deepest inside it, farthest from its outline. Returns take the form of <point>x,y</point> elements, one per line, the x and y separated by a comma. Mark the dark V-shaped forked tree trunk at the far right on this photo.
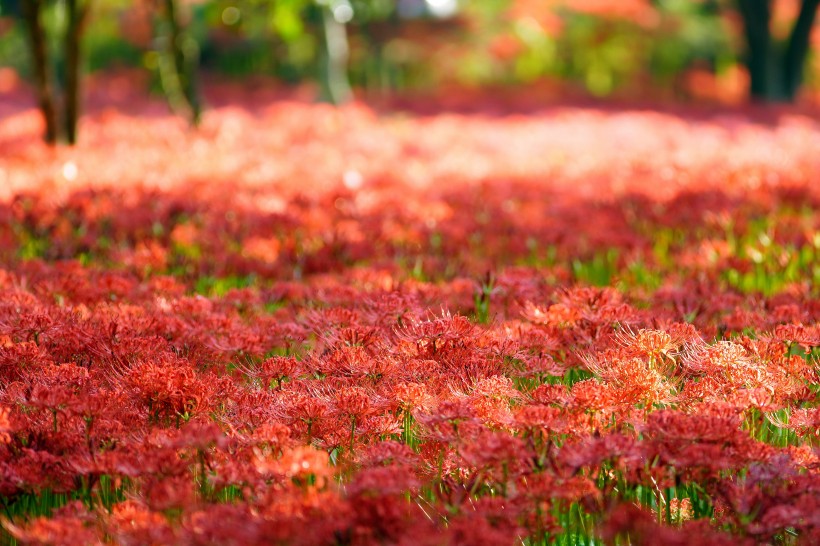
<point>775,70</point>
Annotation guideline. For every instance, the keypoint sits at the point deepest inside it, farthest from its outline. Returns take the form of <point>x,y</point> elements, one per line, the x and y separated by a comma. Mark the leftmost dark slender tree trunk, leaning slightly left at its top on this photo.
<point>32,13</point>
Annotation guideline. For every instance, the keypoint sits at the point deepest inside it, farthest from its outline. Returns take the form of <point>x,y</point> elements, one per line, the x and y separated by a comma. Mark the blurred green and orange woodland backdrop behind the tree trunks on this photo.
<point>662,49</point>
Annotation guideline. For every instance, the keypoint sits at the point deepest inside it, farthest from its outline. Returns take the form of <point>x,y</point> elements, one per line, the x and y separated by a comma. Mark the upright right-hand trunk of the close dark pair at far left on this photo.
<point>76,13</point>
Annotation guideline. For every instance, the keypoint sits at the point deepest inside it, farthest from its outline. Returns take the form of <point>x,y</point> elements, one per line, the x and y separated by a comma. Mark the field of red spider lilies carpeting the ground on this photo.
<point>307,325</point>
